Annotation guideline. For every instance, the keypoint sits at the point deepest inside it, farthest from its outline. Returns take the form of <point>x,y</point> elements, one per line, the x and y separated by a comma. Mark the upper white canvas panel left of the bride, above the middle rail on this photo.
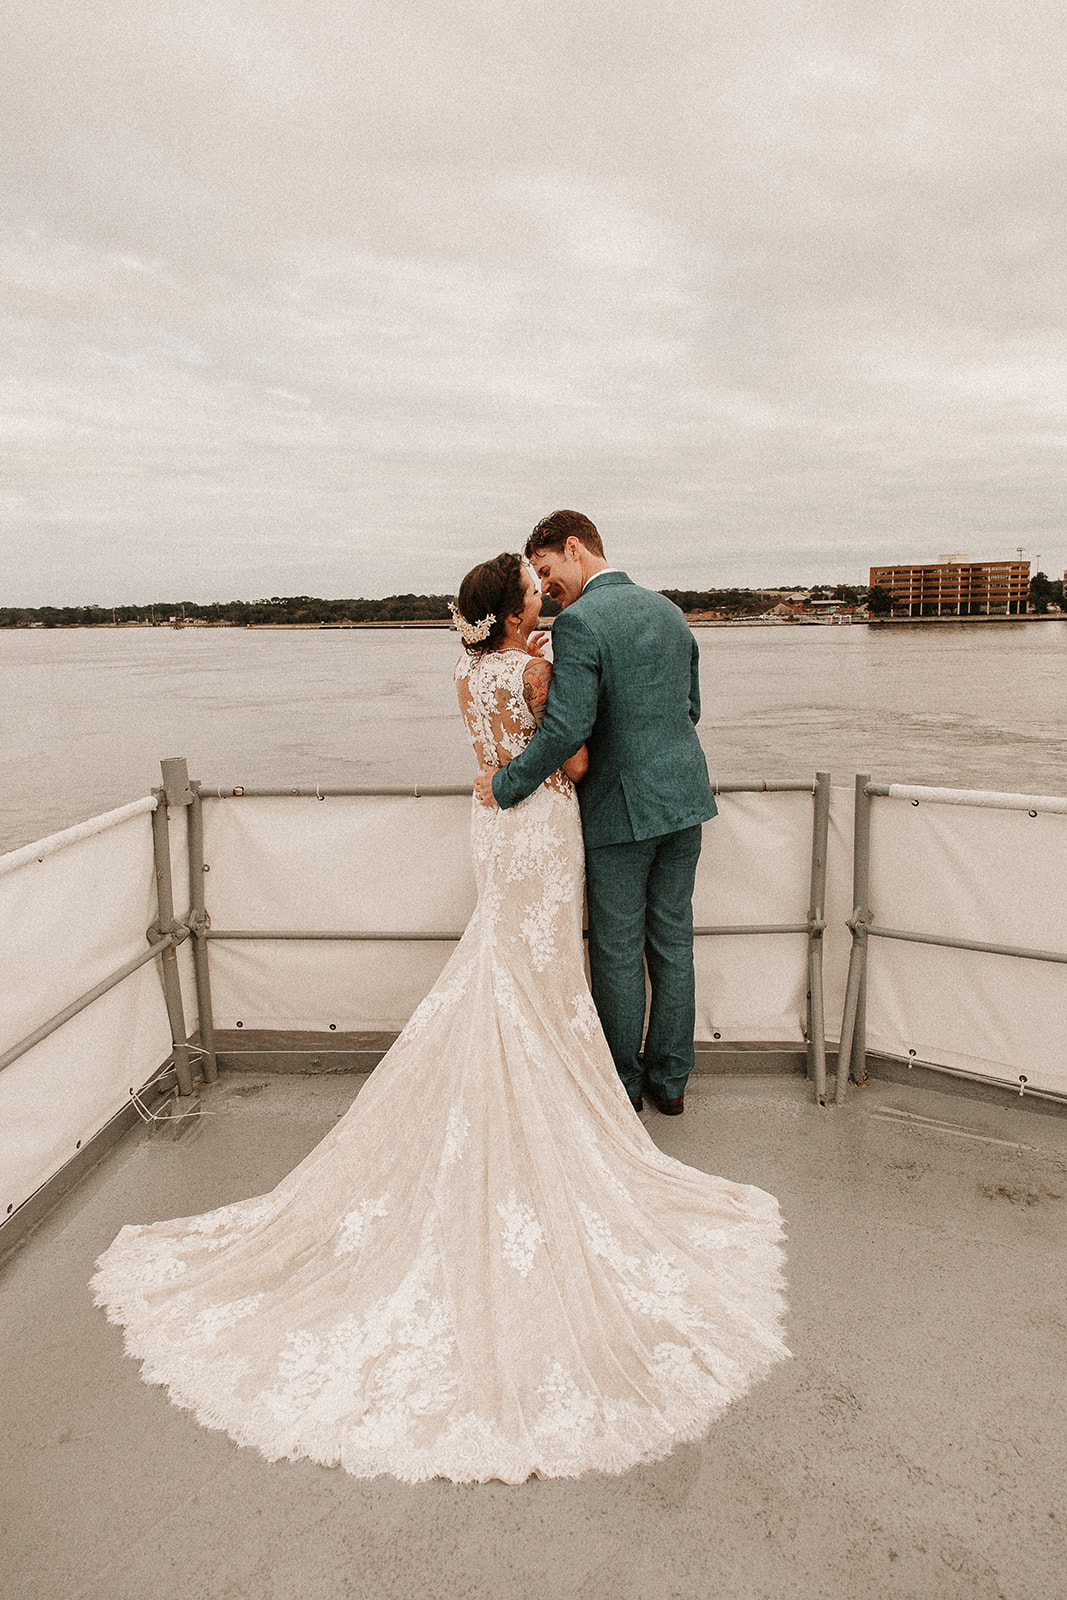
<point>383,863</point>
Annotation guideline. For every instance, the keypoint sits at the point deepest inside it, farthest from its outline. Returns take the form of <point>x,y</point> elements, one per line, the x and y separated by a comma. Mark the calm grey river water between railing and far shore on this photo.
<point>86,714</point>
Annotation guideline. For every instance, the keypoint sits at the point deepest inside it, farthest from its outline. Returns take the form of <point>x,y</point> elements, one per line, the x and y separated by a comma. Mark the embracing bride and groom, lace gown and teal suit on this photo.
<point>487,1270</point>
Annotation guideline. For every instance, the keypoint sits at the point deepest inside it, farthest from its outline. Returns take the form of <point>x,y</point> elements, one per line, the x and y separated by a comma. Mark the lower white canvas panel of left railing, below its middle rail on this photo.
<point>76,1081</point>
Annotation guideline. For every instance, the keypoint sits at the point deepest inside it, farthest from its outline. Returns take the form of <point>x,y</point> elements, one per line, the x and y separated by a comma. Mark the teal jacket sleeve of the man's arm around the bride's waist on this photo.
<point>569,718</point>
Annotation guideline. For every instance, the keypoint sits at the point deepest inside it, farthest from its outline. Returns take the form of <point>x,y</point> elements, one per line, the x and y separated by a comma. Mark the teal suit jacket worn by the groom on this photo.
<point>625,682</point>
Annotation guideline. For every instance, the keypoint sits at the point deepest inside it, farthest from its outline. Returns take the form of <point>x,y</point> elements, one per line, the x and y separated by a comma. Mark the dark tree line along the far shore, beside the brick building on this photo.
<point>310,612</point>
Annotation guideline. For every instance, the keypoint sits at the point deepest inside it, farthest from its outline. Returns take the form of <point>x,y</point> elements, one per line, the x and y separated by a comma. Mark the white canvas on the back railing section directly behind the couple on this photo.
<point>404,865</point>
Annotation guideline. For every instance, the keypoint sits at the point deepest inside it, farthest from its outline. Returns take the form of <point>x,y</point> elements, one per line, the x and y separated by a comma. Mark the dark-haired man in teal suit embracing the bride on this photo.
<point>625,682</point>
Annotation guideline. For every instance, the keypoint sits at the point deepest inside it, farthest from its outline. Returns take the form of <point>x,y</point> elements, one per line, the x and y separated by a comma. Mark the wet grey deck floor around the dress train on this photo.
<point>914,1447</point>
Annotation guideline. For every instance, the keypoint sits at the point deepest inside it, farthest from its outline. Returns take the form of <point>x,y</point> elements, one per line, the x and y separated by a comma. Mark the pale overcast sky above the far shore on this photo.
<point>338,298</point>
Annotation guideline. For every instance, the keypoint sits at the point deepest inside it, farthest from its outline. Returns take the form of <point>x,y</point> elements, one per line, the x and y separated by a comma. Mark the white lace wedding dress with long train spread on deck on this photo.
<point>487,1270</point>
